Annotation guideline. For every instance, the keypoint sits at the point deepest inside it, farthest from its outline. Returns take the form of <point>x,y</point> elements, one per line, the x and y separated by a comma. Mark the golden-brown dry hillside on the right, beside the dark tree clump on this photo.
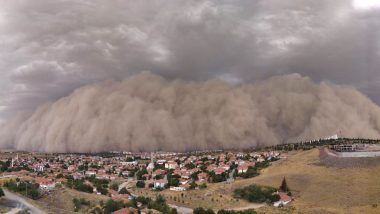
<point>320,189</point>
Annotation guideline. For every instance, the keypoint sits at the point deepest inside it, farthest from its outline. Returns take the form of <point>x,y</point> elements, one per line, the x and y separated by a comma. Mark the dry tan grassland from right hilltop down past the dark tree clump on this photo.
<point>317,188</point>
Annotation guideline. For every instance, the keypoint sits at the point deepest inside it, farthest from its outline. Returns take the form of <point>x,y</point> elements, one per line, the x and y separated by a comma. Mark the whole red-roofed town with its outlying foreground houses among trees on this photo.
<point>118,174</point>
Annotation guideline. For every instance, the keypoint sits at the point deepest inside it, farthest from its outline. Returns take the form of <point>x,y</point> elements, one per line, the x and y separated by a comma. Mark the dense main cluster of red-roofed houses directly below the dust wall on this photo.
<point>157,171</point>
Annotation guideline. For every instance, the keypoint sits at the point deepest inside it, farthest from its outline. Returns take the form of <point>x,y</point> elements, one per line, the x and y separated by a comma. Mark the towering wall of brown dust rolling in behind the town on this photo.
<point>149,113</point>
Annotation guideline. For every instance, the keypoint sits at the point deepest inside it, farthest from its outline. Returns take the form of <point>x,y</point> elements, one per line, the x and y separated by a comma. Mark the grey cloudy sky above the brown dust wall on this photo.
<point>50,48</point>
